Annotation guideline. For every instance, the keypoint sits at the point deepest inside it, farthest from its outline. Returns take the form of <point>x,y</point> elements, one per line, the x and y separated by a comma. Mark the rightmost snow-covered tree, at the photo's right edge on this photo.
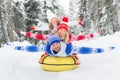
<point>109,18</point>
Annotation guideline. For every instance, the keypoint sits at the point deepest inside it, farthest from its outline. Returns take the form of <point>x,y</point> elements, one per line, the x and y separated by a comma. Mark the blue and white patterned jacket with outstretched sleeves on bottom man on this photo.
<point>66,49</point>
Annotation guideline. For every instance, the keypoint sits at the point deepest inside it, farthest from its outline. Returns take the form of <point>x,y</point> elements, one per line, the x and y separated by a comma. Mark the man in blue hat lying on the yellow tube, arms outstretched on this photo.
<point>55,47</point>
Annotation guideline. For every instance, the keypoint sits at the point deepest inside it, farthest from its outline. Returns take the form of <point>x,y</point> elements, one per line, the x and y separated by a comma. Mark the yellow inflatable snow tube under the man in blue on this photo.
<point>56,64</point>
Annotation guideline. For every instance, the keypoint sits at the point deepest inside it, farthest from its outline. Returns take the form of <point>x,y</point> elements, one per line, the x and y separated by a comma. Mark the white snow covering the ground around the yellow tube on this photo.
<point>21,65</point>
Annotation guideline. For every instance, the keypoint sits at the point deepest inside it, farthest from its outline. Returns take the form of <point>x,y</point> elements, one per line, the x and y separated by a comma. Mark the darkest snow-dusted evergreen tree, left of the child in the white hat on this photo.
<point>32,9</point>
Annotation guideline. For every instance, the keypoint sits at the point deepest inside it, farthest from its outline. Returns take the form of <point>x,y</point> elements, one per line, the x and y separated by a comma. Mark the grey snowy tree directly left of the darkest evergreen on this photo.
<point>19,15</point>
